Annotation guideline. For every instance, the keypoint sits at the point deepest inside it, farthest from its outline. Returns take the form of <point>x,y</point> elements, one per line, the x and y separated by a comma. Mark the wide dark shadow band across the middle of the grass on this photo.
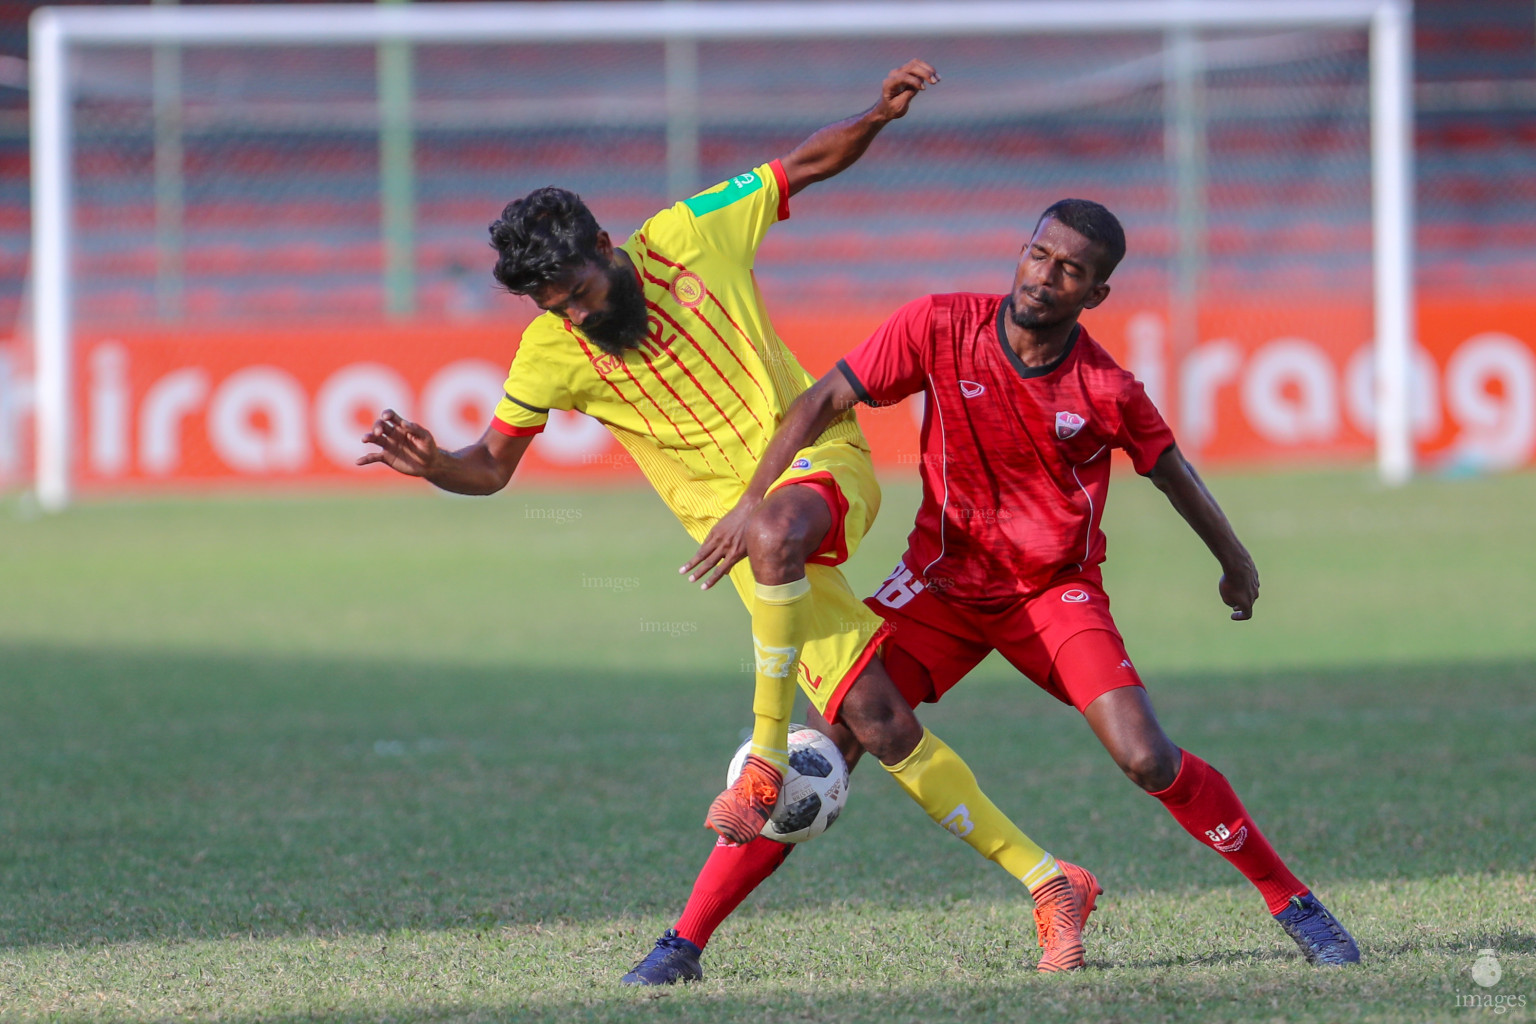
<point>164,794</point>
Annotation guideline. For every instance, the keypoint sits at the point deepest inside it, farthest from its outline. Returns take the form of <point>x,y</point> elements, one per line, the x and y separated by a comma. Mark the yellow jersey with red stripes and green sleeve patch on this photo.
<point>697,403</point>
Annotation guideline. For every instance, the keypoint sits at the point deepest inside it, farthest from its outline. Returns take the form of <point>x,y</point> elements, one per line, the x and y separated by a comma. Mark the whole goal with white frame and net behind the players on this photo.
<point>257,226</point>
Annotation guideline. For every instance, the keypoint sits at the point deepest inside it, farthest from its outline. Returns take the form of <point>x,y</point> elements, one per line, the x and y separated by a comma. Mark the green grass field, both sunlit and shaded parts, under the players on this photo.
<point>412,758</point>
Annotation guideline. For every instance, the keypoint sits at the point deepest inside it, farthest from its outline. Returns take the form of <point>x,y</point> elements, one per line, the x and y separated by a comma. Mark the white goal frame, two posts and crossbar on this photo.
<point>56,31</point>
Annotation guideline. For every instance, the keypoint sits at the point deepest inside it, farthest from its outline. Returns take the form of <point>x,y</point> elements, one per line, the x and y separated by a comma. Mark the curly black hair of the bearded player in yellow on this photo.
<point>543,237</point>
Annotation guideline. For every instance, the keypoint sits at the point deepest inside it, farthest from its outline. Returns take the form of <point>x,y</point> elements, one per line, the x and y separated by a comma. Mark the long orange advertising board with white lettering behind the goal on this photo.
<point>1266,385</point>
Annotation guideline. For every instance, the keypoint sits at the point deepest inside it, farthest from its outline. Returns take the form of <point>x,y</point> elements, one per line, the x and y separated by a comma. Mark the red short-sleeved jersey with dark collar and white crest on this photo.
<point>1015,458</point>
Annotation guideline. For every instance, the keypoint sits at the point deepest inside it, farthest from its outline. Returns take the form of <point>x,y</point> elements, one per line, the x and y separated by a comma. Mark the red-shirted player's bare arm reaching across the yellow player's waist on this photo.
<point>809,417</point>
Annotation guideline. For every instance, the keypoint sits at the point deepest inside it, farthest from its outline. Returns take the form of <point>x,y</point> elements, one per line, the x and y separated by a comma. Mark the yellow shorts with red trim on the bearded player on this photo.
<point>846,632</point>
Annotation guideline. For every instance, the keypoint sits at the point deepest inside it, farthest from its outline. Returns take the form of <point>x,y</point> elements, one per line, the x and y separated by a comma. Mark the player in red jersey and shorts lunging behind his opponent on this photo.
<point>1024,411</point>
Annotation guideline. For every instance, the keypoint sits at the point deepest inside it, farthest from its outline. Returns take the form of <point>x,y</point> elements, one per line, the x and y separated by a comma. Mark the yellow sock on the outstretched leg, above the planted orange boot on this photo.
<point>947,790</point>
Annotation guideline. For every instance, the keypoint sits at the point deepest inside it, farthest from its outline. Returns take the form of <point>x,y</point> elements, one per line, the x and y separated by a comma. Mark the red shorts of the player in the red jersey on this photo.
<point>1064,639</point>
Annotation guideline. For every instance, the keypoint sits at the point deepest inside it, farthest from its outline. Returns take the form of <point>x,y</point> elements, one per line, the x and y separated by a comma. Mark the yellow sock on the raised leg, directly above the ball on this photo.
<point>781,618</point>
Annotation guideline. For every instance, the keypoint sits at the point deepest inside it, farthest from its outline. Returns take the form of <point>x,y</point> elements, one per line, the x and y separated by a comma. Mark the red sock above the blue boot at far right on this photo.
<point>1202,801</point>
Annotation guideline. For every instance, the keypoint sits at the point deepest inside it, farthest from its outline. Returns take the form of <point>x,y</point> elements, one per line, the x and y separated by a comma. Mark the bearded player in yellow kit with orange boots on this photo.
<point>667,343</point>
